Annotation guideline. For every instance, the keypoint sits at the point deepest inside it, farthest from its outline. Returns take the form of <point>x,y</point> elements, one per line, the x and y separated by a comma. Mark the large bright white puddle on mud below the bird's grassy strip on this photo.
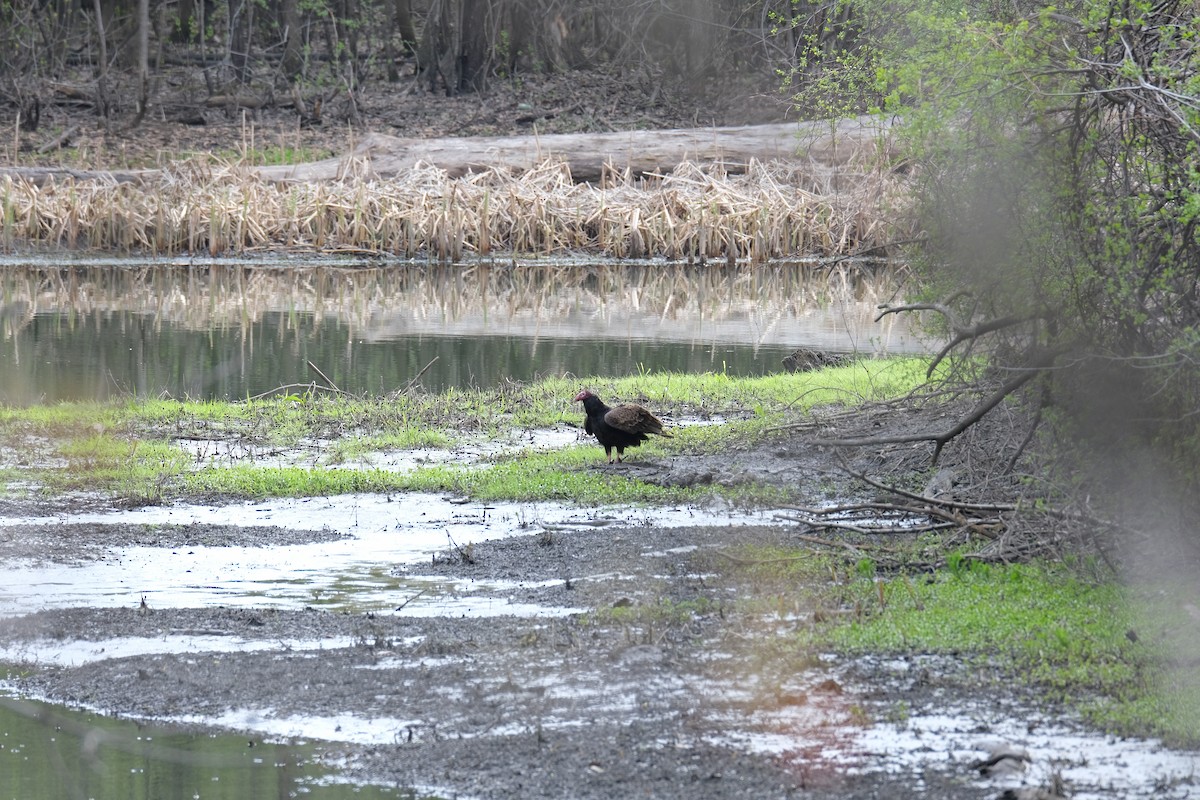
<point>355,574</point>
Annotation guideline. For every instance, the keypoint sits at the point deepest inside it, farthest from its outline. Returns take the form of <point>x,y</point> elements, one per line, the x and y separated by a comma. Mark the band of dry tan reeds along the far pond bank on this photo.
<point>692,214</point>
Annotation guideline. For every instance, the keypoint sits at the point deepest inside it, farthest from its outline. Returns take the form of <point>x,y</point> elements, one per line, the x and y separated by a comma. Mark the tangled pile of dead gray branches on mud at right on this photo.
<point>992,497</point>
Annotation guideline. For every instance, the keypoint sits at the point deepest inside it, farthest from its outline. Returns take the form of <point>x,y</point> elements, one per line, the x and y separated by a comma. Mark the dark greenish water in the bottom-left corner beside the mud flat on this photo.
<point>51,754</point>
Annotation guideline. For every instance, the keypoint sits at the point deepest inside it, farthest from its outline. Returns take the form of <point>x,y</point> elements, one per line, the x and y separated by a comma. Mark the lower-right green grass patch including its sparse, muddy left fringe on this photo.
<point>1123,655</point>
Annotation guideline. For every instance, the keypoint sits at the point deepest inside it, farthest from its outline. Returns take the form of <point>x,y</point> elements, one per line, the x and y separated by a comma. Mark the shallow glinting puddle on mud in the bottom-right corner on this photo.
<point>831,730</point>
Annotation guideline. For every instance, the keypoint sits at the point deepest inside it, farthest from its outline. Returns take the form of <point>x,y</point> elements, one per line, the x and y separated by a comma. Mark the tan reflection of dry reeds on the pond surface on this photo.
<point>201,298</point>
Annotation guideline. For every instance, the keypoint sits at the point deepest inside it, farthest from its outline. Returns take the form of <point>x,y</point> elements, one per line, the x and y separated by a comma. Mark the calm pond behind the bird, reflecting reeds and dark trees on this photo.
<point>220,330</point>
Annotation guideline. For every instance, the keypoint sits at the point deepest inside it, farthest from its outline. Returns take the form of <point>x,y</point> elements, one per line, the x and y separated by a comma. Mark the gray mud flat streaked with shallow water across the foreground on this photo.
<point>663,689</point>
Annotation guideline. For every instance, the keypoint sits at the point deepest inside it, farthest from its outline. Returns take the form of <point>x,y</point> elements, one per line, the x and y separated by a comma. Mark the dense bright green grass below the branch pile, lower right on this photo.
<point>1095,645</point>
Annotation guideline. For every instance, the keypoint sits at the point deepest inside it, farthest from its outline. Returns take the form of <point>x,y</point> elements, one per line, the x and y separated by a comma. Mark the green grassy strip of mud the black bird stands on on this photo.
<point>133,449</point>
